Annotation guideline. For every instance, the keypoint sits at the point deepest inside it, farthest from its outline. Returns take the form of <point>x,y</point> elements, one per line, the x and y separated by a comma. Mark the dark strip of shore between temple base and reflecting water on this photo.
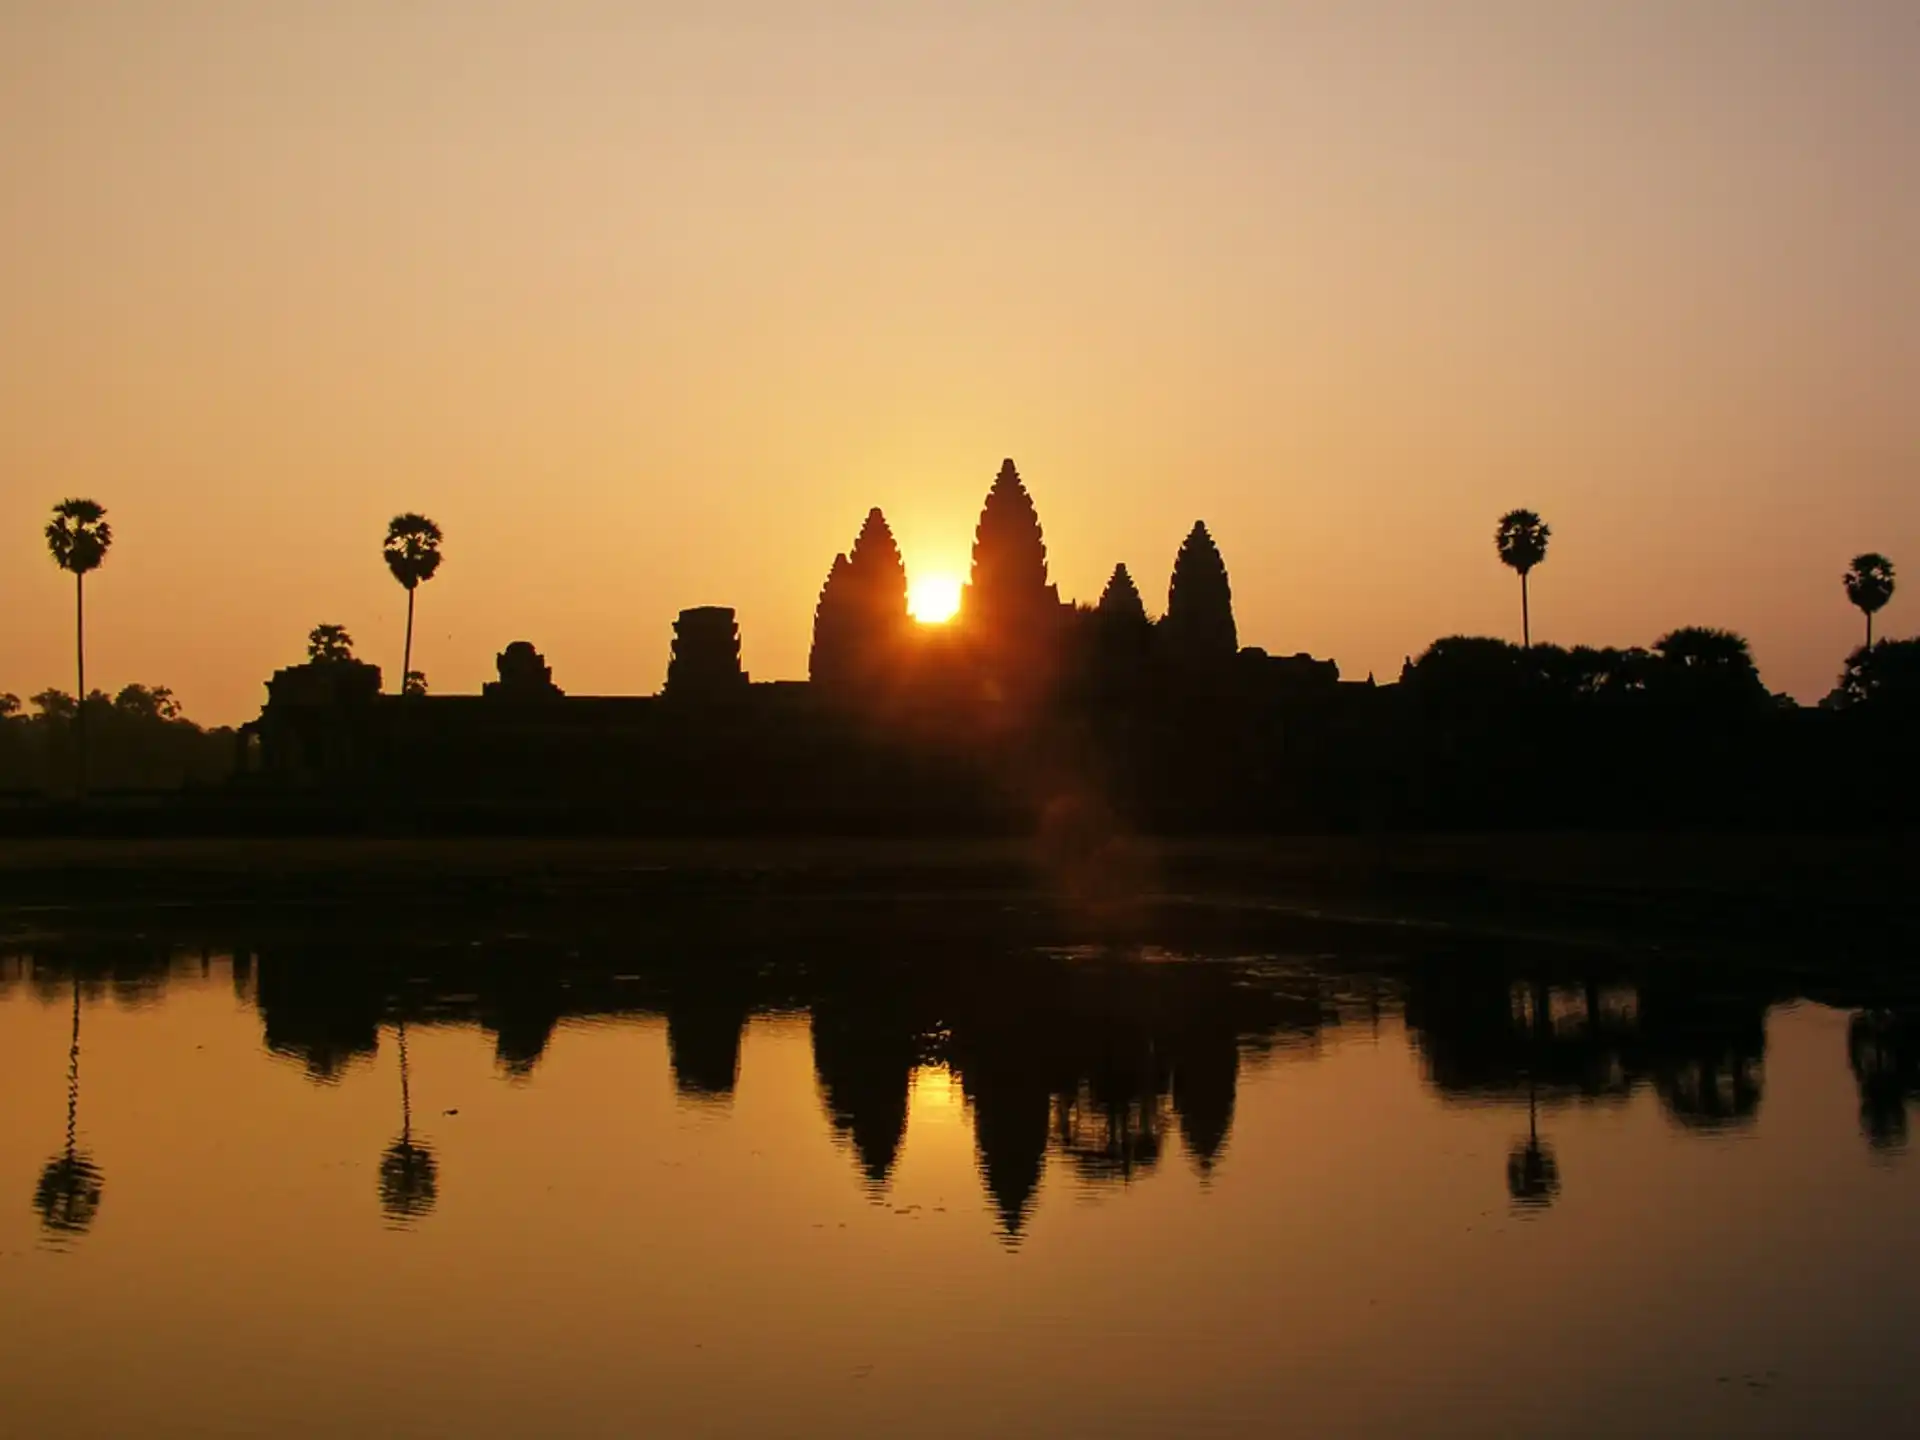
<point>1802,901</point>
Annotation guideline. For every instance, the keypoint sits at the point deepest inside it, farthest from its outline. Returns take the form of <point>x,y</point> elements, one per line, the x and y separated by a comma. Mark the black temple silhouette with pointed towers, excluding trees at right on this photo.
<point>982,723</point>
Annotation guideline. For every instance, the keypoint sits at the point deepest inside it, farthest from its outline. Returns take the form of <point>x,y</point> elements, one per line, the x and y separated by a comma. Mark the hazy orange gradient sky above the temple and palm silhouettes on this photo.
<point>648,302</point>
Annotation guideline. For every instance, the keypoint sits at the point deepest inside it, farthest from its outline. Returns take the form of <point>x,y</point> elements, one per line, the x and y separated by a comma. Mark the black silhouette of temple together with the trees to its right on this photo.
<point>1080,723</point>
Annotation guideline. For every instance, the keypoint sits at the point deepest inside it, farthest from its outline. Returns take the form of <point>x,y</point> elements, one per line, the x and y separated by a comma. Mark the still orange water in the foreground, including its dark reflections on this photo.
<point>504,1186</point>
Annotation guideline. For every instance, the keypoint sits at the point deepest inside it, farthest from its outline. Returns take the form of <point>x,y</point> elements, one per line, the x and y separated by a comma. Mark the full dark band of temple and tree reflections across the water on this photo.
<point>1103,1065</point>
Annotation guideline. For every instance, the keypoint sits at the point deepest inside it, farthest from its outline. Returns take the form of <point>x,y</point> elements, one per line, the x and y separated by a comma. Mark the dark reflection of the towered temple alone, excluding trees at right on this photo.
<point>1090,1057</point>
